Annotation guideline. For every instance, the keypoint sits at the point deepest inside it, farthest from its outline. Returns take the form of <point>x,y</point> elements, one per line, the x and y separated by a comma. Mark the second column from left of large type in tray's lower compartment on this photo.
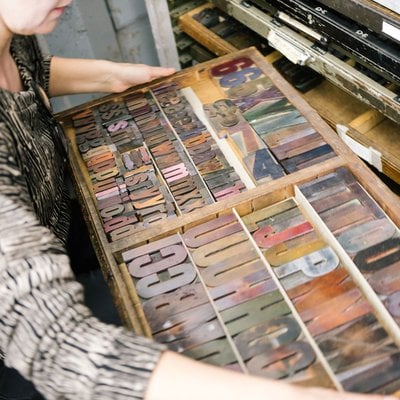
<point>246,297</point>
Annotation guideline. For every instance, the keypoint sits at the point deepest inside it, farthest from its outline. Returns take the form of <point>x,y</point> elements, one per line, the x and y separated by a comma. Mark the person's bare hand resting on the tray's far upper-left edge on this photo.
<point>125,75</point>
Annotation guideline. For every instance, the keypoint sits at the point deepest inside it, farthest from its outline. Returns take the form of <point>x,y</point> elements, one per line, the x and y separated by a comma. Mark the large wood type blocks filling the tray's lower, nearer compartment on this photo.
<point>265,293</point>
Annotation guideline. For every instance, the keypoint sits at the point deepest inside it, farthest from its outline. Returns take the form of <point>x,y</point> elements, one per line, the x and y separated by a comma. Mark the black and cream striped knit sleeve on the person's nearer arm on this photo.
<point>45,330</point>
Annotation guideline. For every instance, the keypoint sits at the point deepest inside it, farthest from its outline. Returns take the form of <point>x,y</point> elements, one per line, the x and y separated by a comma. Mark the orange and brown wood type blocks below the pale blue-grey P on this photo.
<point>347,310</point>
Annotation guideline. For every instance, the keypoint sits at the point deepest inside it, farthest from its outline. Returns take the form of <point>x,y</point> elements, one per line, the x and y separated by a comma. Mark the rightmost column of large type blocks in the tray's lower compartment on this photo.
<point>364,232</point>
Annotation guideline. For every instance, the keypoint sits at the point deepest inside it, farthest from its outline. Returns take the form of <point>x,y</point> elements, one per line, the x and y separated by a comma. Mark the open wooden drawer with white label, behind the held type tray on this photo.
<point>370,134</point>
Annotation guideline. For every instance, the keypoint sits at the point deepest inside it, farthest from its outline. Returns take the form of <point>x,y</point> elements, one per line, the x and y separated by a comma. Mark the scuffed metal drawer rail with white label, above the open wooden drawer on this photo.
<point>308,51</point>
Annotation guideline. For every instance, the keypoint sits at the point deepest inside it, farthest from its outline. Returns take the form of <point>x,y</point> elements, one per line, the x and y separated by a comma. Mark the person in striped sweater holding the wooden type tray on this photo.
<point>46,333</point>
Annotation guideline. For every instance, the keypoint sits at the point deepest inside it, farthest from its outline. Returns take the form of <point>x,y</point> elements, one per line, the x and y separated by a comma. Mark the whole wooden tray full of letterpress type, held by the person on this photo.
<point>239,281</point>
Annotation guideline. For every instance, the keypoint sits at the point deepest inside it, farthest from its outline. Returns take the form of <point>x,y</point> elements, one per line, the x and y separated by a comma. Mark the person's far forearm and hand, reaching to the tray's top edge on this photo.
<point>71,76</point>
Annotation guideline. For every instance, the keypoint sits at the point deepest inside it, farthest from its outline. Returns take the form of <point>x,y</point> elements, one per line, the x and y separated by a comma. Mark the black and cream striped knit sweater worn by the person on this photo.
<point>45,330</point>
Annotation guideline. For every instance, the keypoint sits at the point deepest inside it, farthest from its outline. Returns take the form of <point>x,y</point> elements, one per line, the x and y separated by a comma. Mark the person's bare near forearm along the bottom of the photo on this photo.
<point>179,378</point>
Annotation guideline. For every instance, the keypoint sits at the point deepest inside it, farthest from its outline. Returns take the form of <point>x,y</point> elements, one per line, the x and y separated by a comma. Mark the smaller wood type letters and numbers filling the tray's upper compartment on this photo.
<point>152,155</point>
